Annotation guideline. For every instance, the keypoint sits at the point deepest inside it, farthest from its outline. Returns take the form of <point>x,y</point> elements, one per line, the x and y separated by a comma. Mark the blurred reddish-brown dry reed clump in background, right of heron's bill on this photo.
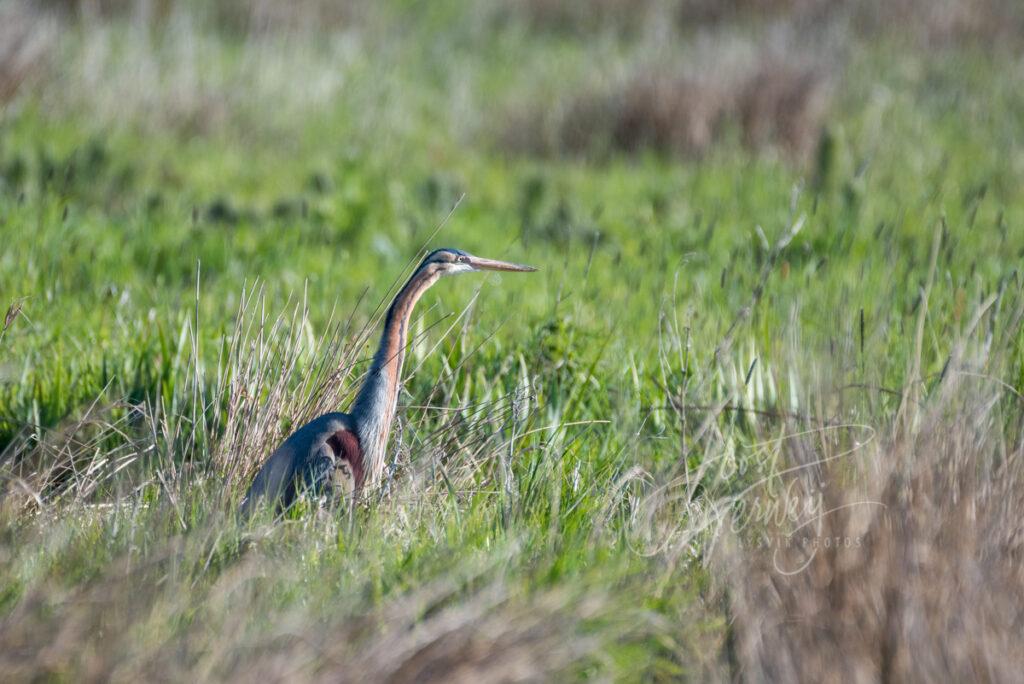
<point>773,106</point>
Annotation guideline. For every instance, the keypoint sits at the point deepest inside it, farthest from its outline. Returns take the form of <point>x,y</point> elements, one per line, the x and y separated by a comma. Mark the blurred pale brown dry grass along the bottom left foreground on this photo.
<point>438,634</point>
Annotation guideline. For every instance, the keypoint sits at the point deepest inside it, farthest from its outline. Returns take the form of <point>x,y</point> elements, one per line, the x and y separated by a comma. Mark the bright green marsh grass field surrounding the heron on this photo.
<point>131,251</point>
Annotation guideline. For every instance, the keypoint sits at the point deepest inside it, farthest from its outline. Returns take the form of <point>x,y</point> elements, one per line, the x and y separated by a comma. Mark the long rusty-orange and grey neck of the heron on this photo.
<point>377,402</point>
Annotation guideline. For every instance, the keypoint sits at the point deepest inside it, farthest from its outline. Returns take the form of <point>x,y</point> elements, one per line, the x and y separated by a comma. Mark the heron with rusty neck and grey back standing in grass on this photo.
<point>337,455</point>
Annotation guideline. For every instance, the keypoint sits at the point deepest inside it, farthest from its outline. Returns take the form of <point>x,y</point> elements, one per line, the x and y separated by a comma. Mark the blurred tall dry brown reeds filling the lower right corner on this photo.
<point>932,589</point>
